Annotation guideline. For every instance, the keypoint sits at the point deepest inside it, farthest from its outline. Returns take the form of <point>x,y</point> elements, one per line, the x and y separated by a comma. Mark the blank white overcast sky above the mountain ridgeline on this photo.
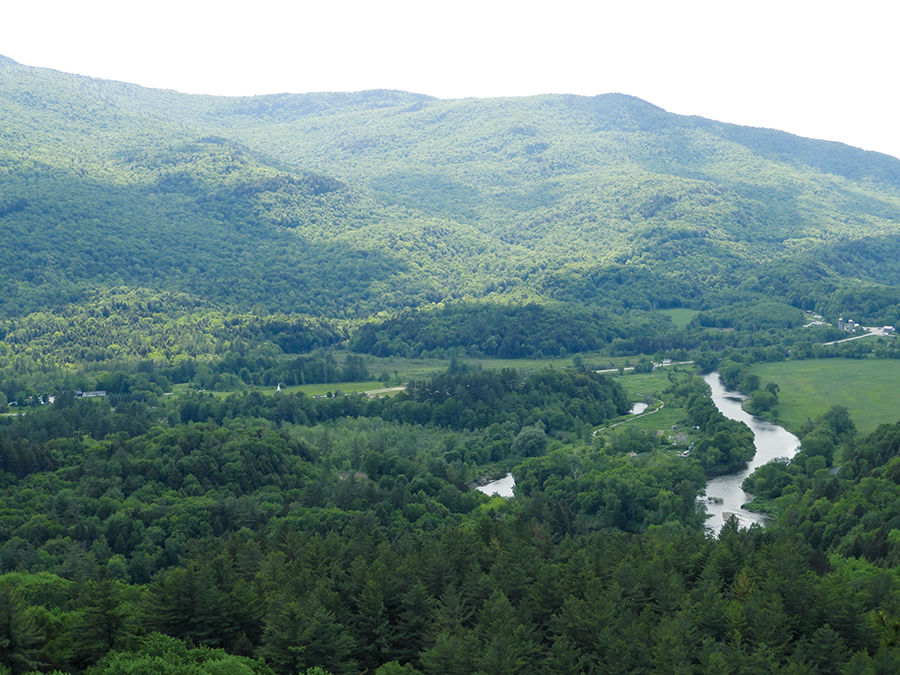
<point>821,69</point>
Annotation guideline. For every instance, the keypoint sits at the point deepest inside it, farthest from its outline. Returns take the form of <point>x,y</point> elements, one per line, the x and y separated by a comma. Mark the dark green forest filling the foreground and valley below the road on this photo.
<point>283,533</point>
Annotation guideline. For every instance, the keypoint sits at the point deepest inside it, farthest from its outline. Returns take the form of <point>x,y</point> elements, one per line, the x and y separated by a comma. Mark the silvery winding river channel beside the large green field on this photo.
<point>771,441</point>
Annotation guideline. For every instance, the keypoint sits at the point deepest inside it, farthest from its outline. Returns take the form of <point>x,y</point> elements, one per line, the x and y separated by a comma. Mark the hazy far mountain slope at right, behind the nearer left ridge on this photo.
<point>523,168</point>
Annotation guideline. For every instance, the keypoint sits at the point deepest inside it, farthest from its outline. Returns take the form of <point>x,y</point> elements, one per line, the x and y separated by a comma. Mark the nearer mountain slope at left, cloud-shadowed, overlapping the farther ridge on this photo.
<point>102,187</point>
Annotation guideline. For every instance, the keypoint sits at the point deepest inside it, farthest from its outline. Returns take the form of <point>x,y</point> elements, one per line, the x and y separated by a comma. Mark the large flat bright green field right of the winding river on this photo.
<point>868,388</point>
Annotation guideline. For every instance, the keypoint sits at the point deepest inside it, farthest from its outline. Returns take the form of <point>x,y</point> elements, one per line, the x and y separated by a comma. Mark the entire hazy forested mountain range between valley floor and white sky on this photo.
<point>350,204</point>
